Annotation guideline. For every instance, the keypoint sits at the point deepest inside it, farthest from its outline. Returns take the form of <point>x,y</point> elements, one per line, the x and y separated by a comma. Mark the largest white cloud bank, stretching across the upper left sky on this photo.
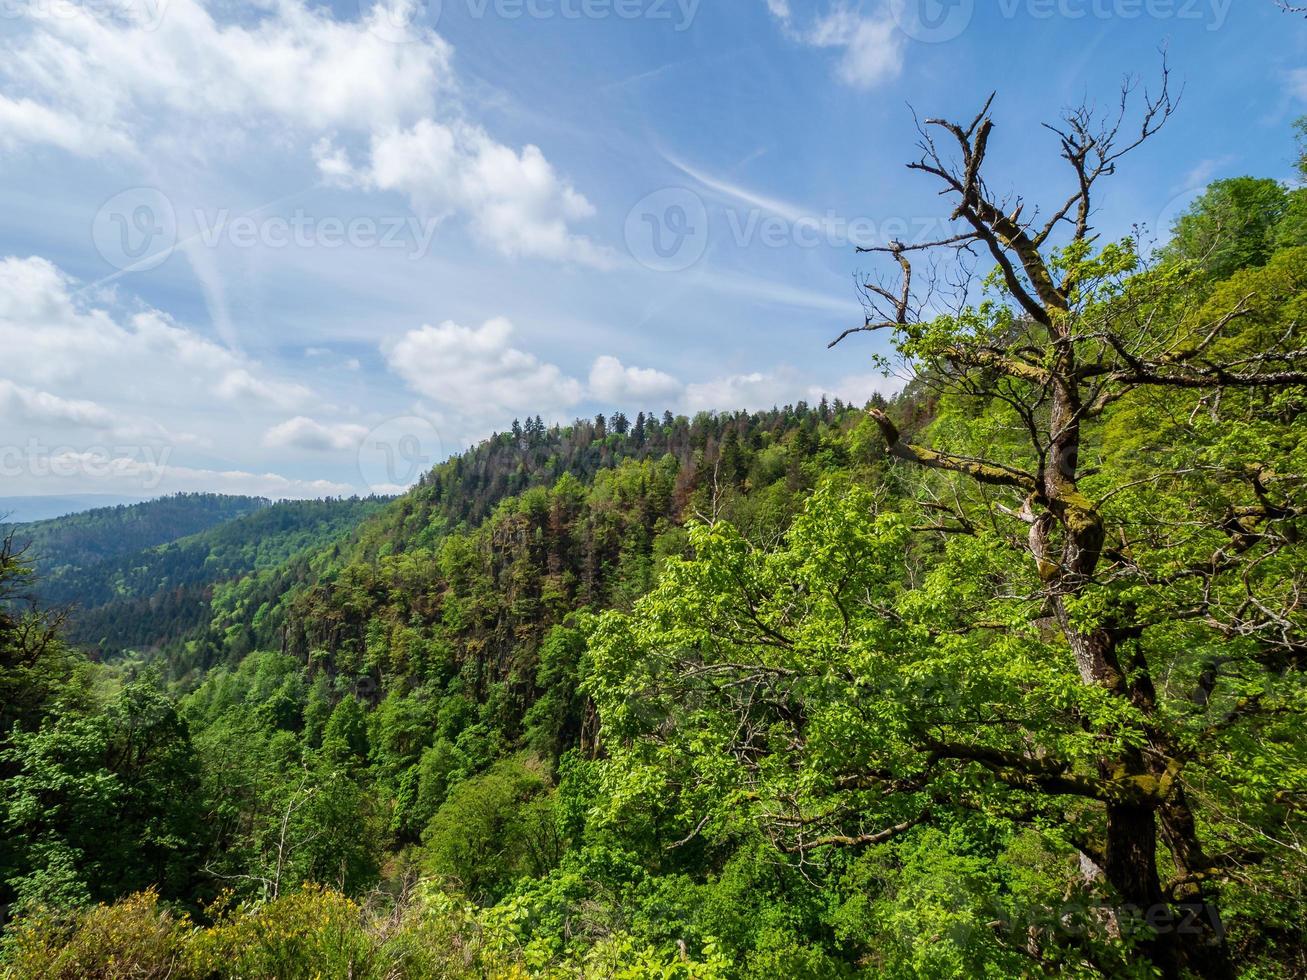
<point>93,84</point>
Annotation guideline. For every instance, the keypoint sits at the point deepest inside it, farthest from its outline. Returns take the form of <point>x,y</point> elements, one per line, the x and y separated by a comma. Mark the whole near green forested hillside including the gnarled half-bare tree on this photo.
<point>1001,679</point>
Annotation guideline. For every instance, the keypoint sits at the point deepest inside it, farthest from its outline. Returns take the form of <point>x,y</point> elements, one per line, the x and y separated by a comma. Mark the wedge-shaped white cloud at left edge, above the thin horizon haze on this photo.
<point>75,374</point>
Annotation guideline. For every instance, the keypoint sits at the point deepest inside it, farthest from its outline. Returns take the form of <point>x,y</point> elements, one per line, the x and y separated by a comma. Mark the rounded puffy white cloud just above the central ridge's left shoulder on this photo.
<point>478,377</point>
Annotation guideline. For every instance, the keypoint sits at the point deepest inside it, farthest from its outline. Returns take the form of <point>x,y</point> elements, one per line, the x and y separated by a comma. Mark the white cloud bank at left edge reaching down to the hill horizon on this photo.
<point>84,391</point>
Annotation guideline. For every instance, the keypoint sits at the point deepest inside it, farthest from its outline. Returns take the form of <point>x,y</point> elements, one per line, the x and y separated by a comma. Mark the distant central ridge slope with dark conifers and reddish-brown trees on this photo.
<point>537,522</point>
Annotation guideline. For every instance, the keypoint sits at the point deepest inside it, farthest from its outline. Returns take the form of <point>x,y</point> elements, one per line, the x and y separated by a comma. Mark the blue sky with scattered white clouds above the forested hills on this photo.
<point>292,249</point>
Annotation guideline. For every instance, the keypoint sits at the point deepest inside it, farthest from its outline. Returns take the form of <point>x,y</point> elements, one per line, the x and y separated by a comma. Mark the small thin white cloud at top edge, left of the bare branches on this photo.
<point>871,45</point>
